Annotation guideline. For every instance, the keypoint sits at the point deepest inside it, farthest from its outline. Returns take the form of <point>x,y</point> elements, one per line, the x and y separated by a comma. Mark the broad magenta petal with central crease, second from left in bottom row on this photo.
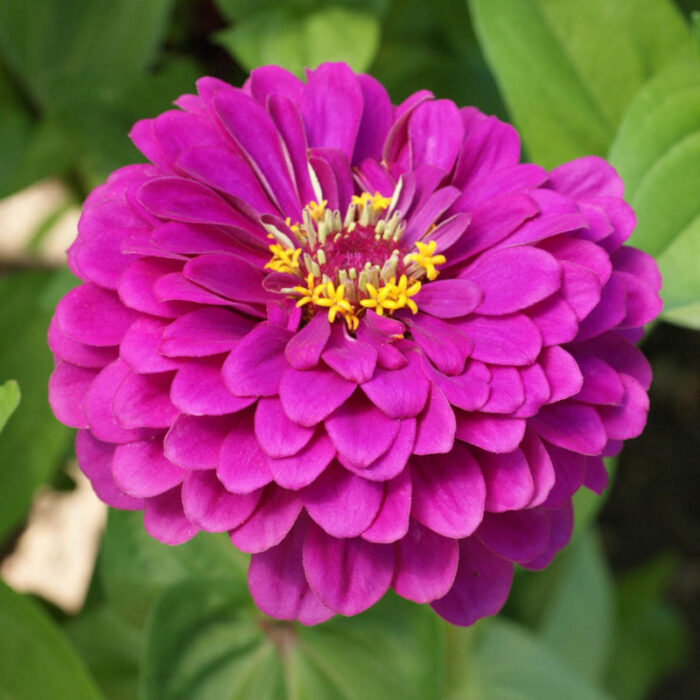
<point>348,575</point>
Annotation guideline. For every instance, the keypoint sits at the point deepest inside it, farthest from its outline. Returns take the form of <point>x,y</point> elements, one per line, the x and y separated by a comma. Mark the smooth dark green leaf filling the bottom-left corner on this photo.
<point>36,659</point>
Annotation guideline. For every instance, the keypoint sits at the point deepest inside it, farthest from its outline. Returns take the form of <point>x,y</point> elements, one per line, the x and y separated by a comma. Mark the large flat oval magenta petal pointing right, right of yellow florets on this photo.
<point>513,278</point>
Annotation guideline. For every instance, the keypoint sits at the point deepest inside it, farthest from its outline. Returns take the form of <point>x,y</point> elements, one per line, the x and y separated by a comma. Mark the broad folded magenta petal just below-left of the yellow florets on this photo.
<point>257,363</point>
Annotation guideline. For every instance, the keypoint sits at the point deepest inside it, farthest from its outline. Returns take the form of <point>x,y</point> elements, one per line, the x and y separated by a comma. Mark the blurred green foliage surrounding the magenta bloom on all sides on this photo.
<point>618,78</point>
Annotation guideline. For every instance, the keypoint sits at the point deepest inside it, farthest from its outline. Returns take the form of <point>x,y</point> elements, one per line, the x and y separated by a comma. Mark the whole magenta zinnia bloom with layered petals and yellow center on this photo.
<point>365,340</point>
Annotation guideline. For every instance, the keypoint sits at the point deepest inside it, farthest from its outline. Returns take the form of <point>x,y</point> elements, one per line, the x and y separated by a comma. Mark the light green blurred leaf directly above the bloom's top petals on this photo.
<point>332,34</point>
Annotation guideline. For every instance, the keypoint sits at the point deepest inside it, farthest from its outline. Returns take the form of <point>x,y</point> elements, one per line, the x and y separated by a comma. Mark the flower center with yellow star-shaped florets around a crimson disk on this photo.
<point>354,262</point>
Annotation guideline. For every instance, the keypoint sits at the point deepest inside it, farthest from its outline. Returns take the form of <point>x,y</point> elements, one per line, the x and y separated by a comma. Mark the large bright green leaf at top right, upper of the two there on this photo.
<point>568,70</point>
